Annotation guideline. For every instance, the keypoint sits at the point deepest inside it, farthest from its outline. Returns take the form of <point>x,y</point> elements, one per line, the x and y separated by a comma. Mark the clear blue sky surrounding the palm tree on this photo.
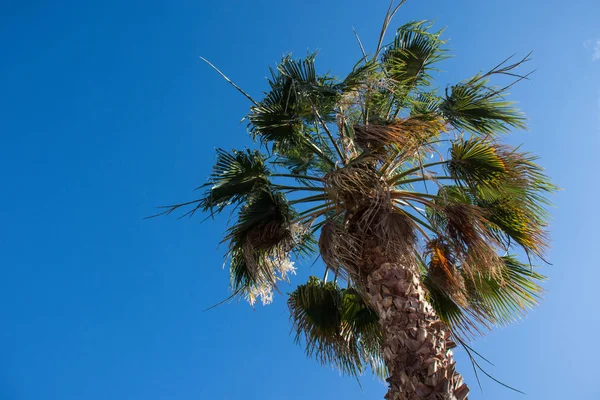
<point>106,111</point>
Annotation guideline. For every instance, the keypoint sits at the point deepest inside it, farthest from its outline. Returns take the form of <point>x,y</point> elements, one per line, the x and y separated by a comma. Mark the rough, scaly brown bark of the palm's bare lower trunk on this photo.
<point>417,345</point>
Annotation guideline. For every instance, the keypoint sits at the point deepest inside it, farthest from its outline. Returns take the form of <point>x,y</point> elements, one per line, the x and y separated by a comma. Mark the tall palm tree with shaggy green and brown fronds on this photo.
<point>408,196</point>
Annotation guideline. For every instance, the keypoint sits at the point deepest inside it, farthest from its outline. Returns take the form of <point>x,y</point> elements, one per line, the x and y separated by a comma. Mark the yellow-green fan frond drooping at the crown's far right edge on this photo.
<point>508,186</point>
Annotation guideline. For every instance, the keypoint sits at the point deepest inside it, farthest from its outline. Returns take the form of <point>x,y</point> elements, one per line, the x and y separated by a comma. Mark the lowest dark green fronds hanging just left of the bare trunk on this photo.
<point>337,327</point>
